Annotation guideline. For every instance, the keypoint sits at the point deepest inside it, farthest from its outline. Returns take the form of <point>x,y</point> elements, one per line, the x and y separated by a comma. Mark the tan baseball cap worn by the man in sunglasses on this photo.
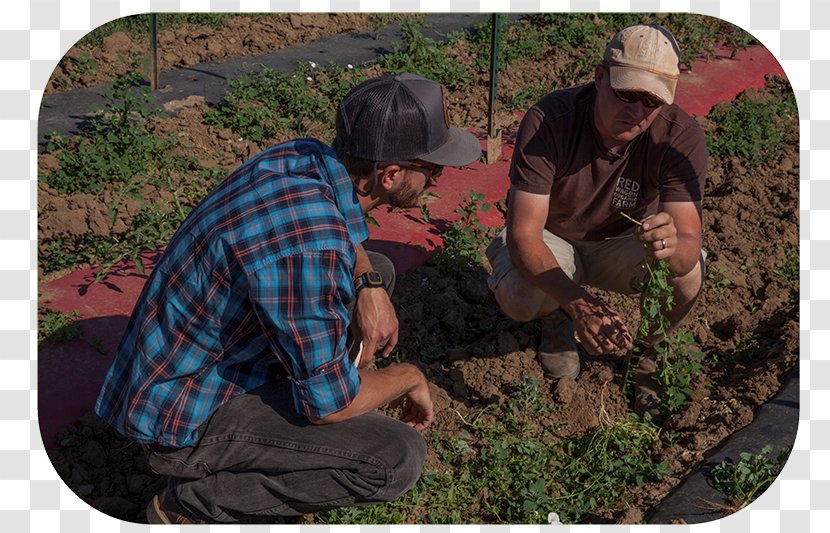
<point>644,58</point>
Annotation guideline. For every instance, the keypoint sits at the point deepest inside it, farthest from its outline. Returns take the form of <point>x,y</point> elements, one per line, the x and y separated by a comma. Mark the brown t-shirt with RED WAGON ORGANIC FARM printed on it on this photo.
<point>558,152</point>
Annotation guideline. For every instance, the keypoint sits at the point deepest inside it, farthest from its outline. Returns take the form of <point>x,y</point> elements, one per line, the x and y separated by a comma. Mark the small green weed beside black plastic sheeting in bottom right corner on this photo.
<point>751,475</point>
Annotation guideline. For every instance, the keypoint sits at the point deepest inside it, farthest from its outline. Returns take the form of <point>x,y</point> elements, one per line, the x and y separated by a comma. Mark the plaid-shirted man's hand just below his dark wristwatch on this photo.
<point>375,323</point>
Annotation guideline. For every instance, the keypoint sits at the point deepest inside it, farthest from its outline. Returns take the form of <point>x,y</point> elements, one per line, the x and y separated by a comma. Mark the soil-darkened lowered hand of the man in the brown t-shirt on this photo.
<point>598,327</point>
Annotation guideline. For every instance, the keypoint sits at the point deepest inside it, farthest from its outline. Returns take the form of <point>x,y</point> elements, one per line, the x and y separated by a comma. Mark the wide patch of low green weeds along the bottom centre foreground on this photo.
<point>513,471</point>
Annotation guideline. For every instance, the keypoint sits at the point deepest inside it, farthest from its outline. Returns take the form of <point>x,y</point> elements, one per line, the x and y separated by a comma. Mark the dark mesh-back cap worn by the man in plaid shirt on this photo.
<point>402,117</point>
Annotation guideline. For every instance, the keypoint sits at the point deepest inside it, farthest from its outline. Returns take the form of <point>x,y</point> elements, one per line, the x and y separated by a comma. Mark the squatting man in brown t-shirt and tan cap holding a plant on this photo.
<point>584,156</point>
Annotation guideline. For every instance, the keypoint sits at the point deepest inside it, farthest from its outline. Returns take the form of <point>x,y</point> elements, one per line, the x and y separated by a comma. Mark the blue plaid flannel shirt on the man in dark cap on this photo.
<point>252,288</point>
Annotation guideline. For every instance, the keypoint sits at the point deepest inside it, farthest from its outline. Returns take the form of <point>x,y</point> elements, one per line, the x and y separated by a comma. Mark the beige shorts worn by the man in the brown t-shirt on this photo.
<point>616,264</point>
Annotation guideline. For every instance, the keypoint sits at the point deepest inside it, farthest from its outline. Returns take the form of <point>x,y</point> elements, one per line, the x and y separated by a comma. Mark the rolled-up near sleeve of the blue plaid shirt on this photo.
<point>301,301</point>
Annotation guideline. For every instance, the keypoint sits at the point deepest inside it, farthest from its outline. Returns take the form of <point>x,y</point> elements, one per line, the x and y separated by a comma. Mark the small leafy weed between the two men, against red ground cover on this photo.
<point>463,238</point>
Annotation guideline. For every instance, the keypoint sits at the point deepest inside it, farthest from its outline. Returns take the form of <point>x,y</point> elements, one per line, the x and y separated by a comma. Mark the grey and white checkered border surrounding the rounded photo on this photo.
<point>35,35</point>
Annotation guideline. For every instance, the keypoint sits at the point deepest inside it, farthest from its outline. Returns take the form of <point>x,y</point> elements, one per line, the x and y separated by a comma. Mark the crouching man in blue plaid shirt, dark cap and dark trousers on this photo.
<point>235,370</point>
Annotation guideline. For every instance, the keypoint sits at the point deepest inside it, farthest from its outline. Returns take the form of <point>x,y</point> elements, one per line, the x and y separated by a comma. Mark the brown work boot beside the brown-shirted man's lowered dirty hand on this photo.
<point>557,346</point>
